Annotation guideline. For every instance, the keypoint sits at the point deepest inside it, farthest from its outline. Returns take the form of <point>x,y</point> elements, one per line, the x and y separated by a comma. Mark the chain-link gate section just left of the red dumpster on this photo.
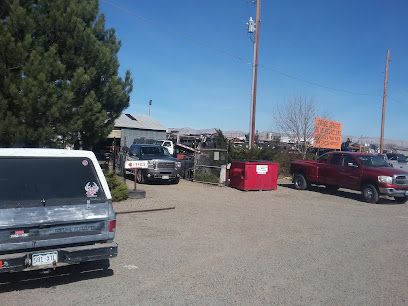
<point>210,166</point>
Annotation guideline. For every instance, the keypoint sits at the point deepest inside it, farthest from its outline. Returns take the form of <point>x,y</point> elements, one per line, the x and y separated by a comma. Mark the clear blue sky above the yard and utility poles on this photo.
<point>192,58</point>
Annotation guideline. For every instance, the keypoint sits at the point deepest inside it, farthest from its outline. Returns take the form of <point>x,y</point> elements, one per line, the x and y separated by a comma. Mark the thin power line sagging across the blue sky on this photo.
<point>239,58</point>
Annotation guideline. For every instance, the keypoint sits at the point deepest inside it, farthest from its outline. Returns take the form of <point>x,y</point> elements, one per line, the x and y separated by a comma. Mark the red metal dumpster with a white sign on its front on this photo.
<point>254,175</point>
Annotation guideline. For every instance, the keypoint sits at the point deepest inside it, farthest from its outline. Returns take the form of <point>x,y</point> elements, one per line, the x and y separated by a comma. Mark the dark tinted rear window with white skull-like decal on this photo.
<point>48,180</point>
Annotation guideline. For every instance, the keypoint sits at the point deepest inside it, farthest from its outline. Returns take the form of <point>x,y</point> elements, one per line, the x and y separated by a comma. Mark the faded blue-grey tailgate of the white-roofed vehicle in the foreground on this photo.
<point>39,227</point>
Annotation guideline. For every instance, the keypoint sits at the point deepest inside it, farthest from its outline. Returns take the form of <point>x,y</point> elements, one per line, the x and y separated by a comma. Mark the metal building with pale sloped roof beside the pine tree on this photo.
<point>130,127</point>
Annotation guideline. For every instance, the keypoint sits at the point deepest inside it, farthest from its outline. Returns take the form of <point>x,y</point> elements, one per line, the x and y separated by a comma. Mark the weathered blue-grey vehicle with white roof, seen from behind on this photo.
<point>55,210</point>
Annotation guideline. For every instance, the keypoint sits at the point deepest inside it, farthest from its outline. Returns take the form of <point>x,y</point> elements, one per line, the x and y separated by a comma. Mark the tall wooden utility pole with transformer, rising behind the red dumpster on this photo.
<point>255,29</point>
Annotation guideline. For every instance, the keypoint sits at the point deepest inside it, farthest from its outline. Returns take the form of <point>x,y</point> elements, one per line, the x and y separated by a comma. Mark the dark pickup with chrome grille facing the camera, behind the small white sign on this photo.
<point>161,165</point>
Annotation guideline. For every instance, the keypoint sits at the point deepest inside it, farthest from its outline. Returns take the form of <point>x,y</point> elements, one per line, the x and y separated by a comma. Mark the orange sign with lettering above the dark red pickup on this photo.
<point>327,134</point>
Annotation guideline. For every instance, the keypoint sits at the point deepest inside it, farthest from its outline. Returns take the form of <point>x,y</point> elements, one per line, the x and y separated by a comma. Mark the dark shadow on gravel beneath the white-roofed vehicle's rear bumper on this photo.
<point>39,279</point>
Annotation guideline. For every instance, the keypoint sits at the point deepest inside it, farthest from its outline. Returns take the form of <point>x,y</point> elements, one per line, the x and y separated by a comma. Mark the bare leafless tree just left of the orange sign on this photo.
<point>295,119</point>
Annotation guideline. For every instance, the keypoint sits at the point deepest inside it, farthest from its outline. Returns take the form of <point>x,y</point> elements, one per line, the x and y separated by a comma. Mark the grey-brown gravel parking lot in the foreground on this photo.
<point>221,246</point>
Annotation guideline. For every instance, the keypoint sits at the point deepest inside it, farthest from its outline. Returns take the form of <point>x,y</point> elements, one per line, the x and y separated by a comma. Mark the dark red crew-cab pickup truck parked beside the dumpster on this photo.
<point>369,173</point>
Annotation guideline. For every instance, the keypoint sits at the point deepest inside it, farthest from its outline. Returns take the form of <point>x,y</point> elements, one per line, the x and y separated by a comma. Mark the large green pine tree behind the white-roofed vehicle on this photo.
<point>58,73</point>
